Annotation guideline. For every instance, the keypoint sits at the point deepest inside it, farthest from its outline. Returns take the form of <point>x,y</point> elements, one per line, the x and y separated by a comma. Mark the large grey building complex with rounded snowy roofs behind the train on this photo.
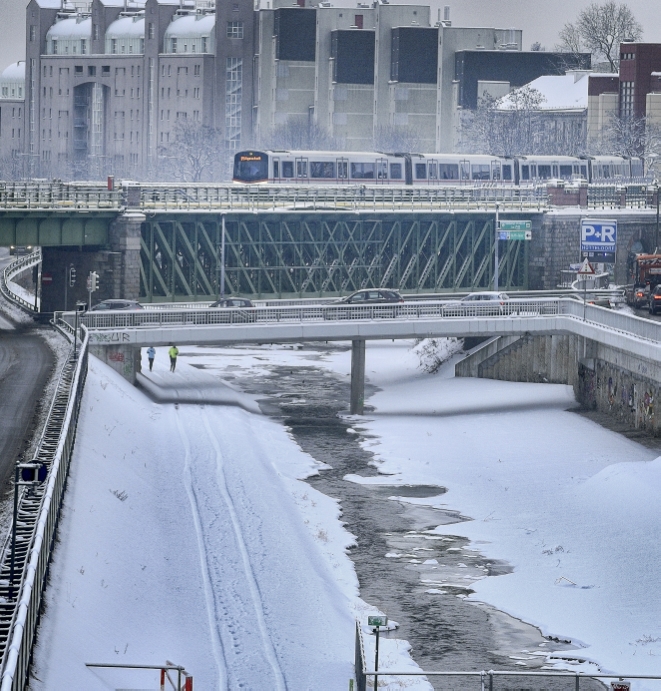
<point>111,84</point>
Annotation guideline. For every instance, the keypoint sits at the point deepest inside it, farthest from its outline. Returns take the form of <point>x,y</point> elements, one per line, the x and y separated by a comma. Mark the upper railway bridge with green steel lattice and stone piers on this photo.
<point>170,243</point>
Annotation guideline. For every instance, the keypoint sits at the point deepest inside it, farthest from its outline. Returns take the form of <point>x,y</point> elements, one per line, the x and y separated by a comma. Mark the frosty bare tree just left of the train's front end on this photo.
<point>196,154</point>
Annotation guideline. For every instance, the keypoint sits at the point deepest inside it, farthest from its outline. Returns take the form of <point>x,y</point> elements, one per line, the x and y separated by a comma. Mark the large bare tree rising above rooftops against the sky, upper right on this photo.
<point>600,29</point>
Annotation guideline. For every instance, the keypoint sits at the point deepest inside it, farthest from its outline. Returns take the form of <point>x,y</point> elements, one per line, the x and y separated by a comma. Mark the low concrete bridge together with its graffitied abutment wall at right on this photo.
<point>600,352</point>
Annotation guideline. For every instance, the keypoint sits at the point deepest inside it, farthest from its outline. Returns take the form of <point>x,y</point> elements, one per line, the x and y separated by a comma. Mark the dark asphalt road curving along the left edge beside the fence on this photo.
<point>25,363</point>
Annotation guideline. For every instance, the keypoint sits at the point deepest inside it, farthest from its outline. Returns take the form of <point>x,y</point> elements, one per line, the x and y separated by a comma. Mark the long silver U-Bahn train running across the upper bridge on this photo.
<point>335,167</point>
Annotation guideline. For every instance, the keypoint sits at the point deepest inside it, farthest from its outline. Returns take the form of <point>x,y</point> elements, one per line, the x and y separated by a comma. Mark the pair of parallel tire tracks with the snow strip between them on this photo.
<point>233,597</point>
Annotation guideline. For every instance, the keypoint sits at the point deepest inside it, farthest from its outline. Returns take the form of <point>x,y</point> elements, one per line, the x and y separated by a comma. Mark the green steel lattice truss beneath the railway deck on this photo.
<point>313,254</point>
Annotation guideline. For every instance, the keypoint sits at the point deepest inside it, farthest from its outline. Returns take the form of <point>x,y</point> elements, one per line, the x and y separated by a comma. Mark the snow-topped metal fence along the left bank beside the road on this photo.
<point>38,514</point>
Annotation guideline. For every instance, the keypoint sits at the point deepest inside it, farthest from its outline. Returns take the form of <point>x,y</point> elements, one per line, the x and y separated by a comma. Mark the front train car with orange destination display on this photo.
<point>319,167</point>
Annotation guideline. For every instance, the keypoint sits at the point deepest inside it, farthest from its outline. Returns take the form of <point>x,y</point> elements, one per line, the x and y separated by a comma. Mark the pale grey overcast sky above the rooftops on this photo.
<point>539,20</point>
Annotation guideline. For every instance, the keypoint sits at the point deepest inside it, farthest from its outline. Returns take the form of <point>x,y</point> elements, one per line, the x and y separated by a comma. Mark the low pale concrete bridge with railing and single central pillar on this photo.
<point>628,341</point>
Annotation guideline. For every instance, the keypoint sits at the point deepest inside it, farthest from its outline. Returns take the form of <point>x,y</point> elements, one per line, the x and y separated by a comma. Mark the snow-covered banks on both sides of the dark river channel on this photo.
<point>187,534</point>
